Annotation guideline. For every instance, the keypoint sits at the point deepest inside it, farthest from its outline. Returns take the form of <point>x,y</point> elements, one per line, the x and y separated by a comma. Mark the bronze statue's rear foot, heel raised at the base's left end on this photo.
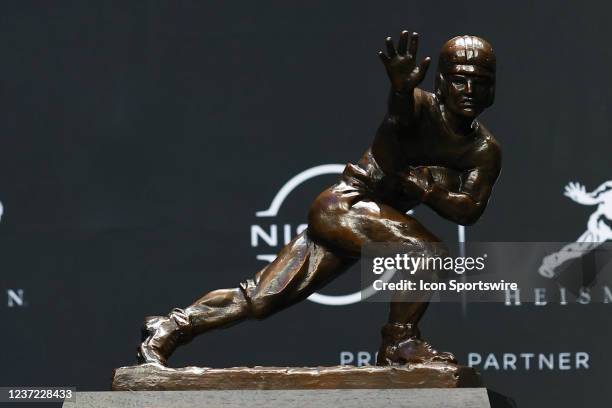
<point>161,335</point>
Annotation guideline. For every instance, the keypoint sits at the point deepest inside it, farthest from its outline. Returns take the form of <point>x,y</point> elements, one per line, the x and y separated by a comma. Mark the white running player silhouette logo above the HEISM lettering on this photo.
<point>599,226</point>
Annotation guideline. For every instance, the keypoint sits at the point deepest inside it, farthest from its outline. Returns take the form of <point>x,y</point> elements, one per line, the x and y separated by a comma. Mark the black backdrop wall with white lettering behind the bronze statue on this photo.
<point>139,139</point>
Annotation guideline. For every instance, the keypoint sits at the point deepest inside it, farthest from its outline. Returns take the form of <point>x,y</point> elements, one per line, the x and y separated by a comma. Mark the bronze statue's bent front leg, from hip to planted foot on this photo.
<point>347,220</point>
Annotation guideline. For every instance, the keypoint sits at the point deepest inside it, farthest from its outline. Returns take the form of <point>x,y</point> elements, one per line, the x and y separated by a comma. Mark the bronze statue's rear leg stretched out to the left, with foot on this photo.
<point>300,268</point>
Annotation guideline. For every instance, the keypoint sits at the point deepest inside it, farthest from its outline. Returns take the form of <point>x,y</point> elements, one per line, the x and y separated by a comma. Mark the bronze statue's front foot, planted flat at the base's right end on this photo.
<point>402,345</point>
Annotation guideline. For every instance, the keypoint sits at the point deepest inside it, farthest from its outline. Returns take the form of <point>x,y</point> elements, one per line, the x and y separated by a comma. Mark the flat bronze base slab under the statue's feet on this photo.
<point>432,375</point>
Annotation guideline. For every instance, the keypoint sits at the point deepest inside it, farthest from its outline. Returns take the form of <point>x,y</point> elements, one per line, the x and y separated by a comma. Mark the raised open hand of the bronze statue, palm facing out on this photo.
<point>400,63</point>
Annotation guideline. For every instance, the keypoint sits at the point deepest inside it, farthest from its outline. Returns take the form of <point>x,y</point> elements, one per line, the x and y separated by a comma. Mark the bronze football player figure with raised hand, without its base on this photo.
<point>429,149</point>
